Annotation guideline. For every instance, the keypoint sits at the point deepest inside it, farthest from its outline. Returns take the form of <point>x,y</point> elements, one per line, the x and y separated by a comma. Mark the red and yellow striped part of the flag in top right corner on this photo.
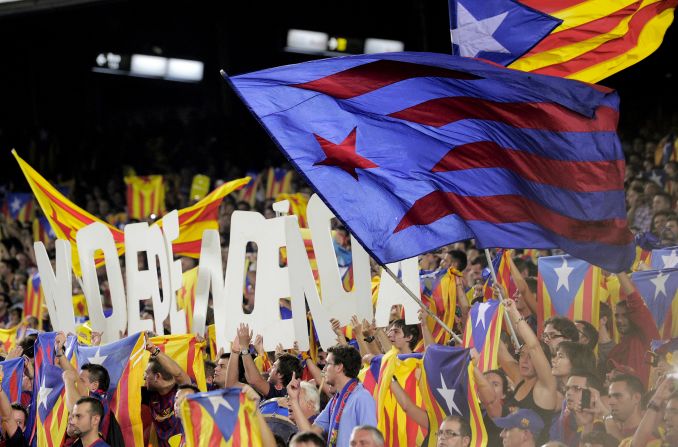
<point>597,38</point>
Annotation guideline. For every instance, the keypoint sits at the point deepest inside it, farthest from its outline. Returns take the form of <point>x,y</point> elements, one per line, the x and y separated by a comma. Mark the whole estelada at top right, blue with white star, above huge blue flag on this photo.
<point>587,40</point>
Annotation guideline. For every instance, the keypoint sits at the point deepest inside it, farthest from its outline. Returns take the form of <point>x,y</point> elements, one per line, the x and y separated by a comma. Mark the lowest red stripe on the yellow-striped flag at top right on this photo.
<point>613,47</point>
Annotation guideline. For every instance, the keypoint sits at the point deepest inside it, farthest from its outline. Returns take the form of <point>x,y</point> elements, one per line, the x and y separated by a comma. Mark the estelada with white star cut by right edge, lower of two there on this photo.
<point>659,289</point>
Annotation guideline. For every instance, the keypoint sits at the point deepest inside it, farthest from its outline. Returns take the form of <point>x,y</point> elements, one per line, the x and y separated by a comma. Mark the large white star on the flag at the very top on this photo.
<point>473,36</point>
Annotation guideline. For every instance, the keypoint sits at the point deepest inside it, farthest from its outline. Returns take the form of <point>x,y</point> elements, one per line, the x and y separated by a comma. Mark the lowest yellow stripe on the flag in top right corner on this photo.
<point>650,38</point>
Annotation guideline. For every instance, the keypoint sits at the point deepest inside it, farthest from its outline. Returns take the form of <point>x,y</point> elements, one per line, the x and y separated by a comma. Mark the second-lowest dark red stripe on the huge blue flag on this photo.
<point>584,176</point>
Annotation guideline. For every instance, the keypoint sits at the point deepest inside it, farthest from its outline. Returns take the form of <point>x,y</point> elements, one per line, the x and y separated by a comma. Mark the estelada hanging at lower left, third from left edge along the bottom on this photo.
<point>123,361</point>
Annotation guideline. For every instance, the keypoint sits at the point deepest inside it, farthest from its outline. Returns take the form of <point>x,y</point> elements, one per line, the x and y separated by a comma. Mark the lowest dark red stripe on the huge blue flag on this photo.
<point>513,209</point>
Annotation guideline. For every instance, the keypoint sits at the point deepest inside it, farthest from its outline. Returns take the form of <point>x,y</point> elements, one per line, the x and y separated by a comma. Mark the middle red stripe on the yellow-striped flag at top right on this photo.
<point>583,32</point>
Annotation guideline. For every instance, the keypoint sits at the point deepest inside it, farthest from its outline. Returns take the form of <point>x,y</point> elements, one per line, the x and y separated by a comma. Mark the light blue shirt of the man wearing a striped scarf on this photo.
<point>360,409</point>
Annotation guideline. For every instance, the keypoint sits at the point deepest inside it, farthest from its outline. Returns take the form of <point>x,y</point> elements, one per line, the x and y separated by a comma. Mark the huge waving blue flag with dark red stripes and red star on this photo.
<point>413,151</point>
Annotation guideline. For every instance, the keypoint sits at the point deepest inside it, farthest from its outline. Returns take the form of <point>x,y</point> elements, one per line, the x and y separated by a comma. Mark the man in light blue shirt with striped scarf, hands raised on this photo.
<point>351,406</point>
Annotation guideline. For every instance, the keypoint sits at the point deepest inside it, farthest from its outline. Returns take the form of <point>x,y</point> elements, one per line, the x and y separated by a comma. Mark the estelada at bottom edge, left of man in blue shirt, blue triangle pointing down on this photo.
<point>220,418</point>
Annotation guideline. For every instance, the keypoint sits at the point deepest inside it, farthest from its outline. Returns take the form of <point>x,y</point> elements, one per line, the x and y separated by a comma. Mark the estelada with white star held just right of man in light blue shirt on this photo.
<point>448,388</point>
